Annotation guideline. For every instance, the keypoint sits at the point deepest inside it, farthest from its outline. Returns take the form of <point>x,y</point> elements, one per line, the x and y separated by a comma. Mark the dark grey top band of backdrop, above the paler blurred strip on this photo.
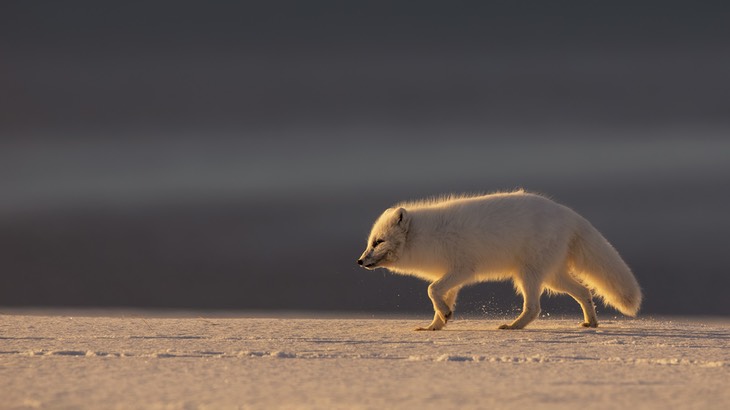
<point>184,65</point>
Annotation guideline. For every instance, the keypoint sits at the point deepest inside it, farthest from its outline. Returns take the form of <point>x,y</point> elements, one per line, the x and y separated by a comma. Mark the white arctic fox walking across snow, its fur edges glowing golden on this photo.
<point>539,244</point>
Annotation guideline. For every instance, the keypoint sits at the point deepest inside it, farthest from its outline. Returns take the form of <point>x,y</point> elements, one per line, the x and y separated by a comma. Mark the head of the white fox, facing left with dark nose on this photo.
<point>386,239</point>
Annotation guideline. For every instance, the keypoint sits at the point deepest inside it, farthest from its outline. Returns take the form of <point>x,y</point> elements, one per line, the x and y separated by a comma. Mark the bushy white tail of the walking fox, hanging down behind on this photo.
<point>597,264</point>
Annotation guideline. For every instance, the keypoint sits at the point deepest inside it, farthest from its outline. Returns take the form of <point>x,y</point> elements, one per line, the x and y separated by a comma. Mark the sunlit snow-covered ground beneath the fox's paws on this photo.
<point>146,361</point>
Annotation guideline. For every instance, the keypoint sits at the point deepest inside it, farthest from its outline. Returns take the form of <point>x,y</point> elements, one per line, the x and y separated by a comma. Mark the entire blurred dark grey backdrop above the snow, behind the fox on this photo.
<point>206,155</point>
